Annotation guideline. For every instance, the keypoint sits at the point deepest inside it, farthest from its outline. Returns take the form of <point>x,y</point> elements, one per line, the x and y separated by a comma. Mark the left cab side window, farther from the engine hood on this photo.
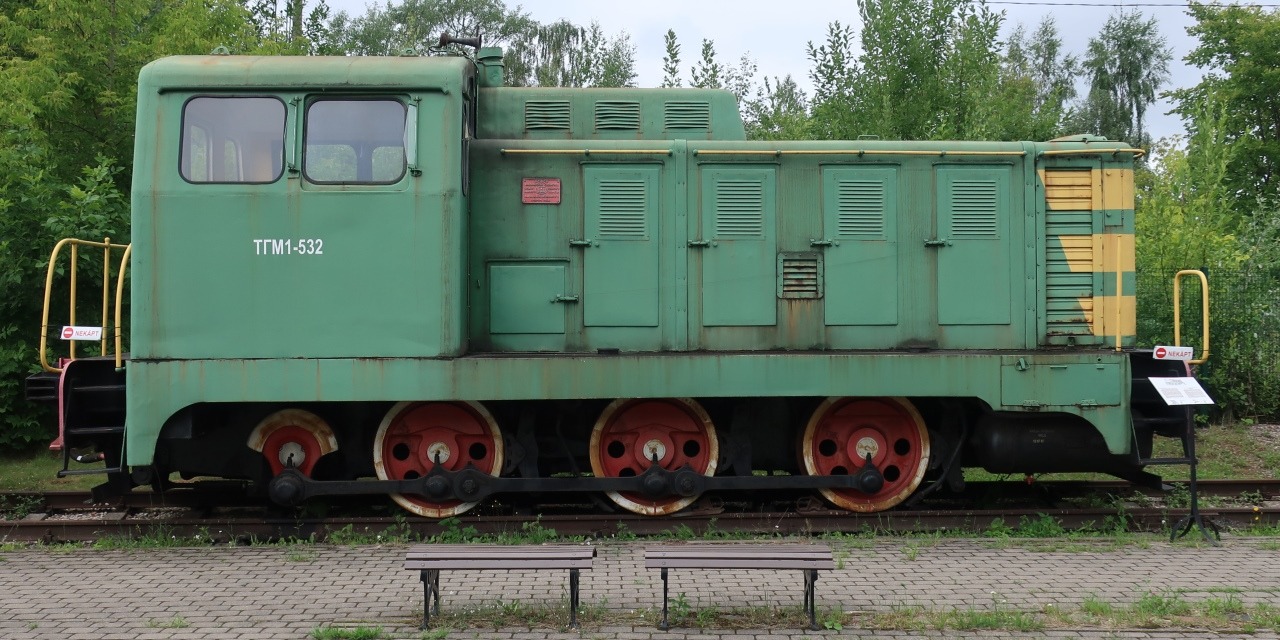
<point>232,140</point>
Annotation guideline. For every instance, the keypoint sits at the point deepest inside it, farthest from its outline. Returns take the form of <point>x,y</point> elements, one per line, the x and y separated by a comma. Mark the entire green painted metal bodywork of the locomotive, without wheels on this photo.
<point>666,240</point>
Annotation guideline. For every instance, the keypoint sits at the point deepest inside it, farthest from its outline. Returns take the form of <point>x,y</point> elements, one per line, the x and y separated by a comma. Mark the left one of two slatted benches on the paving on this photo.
<point>432,559</point>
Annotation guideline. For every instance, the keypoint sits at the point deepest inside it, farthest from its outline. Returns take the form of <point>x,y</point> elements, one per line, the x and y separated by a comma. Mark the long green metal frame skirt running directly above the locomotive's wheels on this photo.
<point>529,377</point>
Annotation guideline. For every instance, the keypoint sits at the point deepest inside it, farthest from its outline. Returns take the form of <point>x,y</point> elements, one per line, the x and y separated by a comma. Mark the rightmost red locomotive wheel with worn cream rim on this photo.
<point>844,431</point>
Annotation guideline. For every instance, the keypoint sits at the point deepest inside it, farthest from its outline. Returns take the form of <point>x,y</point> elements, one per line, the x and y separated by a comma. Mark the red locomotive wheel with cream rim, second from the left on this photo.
<point>415,436</point>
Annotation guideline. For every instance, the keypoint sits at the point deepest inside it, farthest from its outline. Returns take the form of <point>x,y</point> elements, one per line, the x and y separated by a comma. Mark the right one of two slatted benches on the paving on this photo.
<point>808,559</point>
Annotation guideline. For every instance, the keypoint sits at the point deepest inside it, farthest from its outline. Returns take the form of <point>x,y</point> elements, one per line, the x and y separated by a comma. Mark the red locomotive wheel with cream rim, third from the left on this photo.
<point>630,433</point>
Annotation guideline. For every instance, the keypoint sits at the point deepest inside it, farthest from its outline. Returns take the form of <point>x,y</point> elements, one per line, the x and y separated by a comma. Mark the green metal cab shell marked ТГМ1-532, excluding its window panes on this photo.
<point>292,268</point>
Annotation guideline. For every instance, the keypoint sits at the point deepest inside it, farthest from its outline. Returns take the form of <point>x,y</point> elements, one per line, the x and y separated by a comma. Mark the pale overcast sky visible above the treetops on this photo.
<point>775,34</point>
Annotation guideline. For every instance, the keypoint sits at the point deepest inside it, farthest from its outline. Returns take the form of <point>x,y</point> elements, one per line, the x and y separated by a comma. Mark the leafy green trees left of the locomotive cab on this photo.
<point>67,108</point>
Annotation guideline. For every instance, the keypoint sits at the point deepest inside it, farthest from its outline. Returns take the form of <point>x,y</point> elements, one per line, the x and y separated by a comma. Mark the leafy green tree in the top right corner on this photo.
<point>1240,51</point>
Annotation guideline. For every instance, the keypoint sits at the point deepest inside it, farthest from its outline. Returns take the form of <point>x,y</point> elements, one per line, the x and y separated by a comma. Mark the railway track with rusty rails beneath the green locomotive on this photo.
<point>222,515</point>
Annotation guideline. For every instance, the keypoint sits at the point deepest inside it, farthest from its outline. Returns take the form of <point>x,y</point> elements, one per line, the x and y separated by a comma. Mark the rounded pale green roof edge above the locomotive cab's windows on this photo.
<point>228,72</point>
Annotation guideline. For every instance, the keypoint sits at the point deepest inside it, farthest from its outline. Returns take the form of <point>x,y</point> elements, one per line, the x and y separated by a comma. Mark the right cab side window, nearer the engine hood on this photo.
<point>353,141</point>
